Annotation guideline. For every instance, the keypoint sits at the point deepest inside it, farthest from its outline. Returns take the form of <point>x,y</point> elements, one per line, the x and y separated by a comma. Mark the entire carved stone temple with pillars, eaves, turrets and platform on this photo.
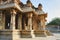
<point>18,20</point>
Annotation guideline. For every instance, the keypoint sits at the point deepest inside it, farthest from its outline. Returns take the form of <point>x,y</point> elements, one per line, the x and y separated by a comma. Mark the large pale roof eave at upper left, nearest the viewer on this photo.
<point>11,5</point>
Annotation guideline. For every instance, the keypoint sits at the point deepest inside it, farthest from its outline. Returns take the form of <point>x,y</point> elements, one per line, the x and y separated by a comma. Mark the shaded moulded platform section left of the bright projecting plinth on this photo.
<point>5,35</point>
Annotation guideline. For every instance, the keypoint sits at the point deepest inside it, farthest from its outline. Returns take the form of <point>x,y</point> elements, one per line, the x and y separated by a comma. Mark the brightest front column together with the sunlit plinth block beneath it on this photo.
<point>15,33</point>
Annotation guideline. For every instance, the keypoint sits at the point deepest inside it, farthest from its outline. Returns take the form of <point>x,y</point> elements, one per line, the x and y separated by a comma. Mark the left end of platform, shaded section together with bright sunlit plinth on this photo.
<point>9,35</point>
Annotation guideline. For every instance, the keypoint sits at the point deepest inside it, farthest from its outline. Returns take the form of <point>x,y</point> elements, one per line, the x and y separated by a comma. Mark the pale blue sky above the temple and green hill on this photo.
<point>52,7</point>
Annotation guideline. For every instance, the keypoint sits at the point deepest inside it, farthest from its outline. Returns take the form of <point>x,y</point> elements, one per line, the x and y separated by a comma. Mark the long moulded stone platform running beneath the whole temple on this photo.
<point>21,35</point>
